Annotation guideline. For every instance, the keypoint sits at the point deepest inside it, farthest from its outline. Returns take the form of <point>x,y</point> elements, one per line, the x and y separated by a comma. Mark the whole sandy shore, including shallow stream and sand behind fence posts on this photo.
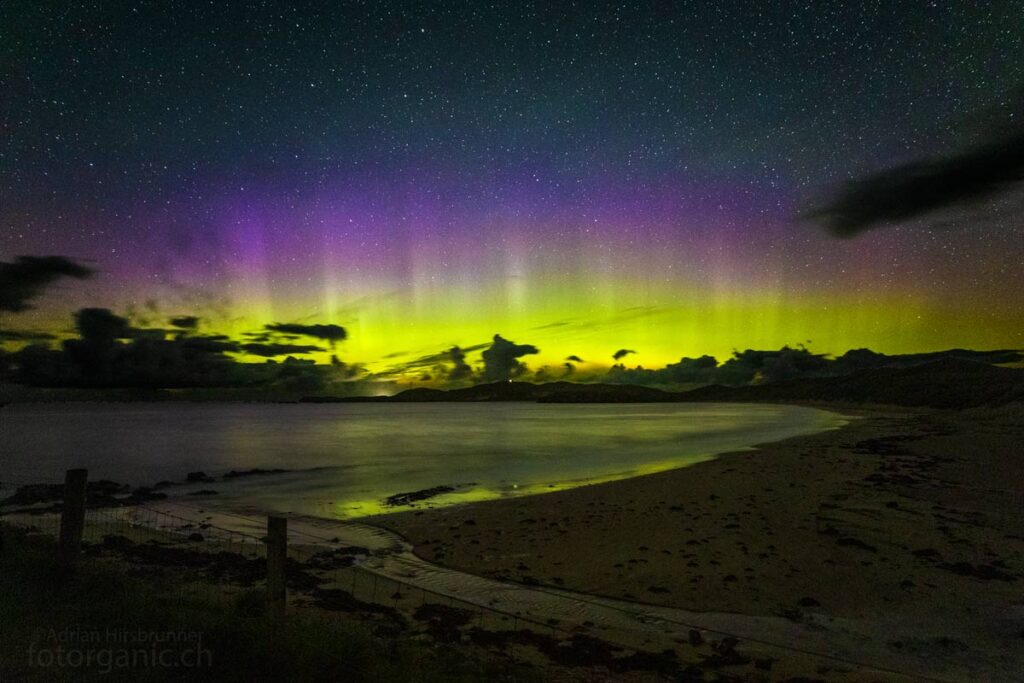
<point>888,549</point>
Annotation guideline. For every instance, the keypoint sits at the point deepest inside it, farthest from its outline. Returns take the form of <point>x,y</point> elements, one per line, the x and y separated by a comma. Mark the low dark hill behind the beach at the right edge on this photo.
<point>950,385</point>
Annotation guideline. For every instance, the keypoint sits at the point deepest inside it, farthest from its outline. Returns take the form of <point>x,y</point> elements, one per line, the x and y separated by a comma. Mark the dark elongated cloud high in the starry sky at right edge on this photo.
<point>921,189</point>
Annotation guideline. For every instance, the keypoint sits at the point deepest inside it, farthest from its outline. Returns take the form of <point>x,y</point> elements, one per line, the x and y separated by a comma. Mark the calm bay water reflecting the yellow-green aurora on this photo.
<point>346,459</point>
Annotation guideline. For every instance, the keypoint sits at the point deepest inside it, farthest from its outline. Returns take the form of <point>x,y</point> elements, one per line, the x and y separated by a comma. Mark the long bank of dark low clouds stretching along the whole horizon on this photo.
<point>112,352</point>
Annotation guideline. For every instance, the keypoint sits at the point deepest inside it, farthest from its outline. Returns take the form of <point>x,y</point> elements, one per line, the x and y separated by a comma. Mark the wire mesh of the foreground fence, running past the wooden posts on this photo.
<point>323,574</point>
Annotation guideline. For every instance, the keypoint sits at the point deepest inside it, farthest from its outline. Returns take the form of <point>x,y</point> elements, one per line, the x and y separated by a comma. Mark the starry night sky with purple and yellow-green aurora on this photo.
<point>582,178</point>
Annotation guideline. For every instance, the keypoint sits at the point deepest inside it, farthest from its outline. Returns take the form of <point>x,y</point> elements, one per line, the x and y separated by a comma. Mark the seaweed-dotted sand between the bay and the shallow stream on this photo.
<point>907,525</point>
